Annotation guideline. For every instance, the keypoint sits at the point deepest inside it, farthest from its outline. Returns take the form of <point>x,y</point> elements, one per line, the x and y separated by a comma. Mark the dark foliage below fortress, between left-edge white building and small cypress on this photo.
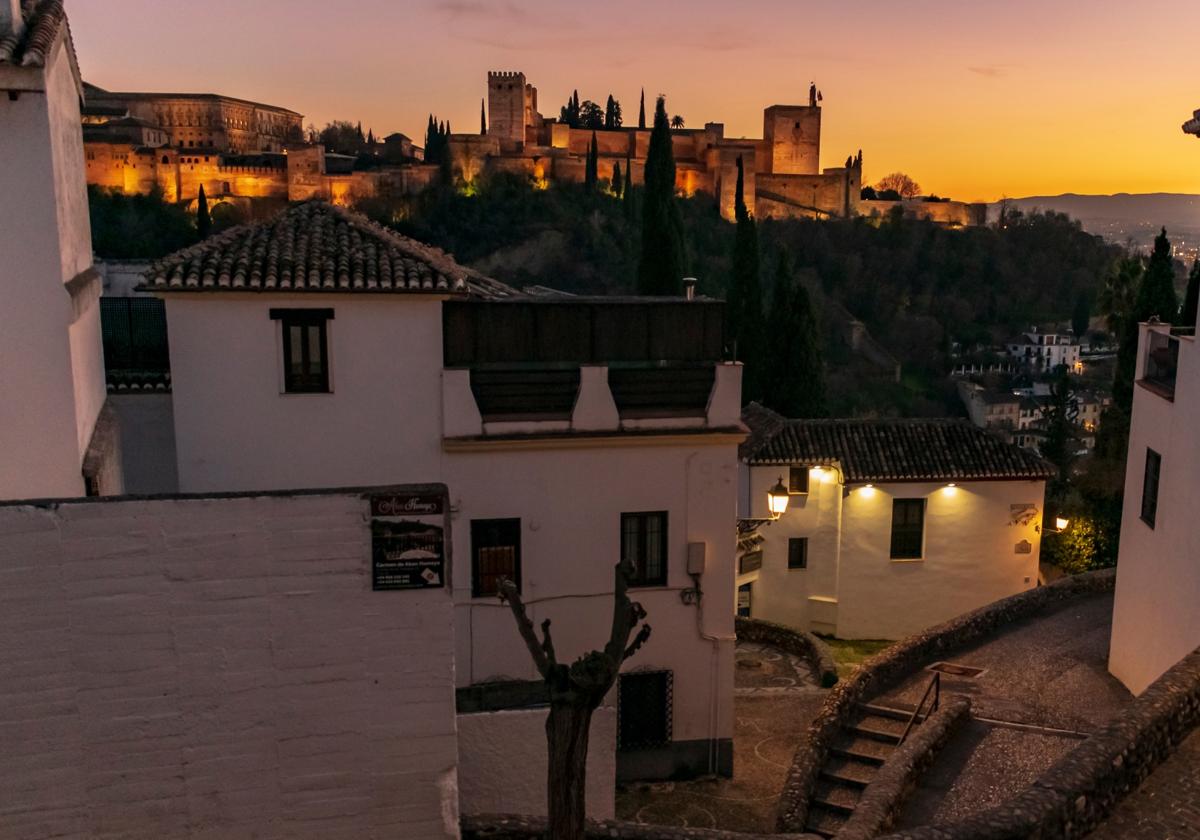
<point>137,227</point>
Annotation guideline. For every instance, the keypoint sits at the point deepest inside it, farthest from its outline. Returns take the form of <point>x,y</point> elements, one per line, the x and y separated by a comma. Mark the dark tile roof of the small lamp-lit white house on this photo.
<point>890,451</point>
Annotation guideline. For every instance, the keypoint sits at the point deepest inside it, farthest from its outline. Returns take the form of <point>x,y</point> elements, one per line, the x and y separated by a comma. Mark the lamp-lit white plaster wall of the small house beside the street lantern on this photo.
<point>855,590</point>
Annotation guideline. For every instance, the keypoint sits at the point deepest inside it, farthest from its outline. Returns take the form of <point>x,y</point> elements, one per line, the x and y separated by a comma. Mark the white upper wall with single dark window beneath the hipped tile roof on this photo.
<point>236,430</point>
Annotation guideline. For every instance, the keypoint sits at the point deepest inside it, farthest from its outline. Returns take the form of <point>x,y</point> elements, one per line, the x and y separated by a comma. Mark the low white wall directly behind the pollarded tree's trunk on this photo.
<point>502,767</point>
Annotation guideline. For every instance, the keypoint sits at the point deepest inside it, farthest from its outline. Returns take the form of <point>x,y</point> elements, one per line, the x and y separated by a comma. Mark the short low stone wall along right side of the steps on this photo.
<point>885,797</point>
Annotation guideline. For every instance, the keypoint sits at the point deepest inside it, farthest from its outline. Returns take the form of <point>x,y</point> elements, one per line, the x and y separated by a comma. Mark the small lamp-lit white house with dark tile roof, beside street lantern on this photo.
<point>892,526</point>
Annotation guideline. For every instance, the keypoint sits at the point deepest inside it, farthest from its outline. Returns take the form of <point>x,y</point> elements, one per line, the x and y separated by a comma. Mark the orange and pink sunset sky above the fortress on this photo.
<point>976,100</point>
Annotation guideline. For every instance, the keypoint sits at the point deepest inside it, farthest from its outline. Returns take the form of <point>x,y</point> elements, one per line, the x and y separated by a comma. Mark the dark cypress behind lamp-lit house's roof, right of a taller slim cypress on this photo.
<point>794,379</point>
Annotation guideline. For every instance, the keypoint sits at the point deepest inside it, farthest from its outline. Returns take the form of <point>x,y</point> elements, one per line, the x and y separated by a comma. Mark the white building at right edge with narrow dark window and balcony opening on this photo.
<point>1156,616</point>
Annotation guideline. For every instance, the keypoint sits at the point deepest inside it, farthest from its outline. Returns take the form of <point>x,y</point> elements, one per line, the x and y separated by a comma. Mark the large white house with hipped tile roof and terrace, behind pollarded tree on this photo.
<point>319,350</point>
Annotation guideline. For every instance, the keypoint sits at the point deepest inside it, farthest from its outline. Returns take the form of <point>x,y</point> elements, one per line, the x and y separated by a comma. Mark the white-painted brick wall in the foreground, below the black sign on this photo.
<point>219,668</point>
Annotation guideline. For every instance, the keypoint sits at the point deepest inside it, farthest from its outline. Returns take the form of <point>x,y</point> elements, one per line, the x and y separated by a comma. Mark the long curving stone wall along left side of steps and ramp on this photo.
<point>891,665</point>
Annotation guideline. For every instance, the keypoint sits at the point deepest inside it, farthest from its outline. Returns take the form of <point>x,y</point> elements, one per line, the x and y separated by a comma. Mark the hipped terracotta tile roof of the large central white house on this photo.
<point>316,247</point>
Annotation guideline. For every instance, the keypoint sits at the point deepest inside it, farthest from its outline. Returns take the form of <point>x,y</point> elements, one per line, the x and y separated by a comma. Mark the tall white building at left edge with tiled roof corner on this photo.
<point>53,439</point>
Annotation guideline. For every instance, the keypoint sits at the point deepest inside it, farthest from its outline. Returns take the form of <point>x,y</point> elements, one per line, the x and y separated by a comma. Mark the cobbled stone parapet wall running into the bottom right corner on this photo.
<point>1076,795</point>
